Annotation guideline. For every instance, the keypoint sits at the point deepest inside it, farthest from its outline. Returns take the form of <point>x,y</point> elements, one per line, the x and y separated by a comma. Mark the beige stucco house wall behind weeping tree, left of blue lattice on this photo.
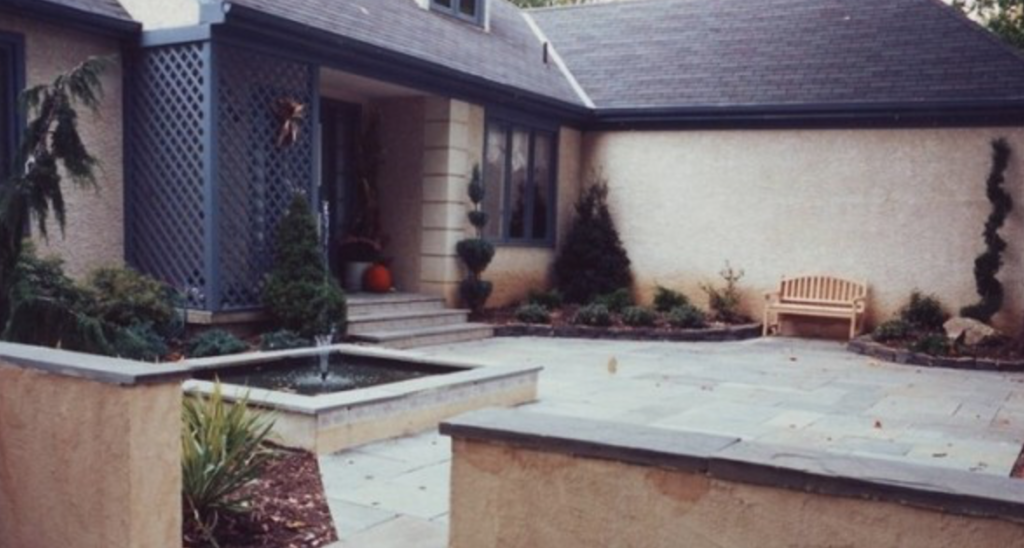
<point>96,218</point>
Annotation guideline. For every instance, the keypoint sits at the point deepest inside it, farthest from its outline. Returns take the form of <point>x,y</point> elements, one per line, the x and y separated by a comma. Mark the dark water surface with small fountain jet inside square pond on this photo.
<point>322,375</point>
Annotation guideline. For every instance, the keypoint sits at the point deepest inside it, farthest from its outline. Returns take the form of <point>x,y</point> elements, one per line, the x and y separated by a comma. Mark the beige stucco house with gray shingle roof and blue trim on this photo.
<point>785,137</point>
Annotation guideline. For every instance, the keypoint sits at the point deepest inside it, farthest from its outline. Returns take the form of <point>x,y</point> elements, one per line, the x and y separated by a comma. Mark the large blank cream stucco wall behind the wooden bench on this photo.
<point>902,209</point>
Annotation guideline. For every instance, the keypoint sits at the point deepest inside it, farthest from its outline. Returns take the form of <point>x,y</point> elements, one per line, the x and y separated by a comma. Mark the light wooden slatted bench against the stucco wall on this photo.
<point>820,297</point>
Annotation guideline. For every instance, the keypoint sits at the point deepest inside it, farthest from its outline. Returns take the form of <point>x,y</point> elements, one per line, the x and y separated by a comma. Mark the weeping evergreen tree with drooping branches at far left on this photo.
<point>51,142</point>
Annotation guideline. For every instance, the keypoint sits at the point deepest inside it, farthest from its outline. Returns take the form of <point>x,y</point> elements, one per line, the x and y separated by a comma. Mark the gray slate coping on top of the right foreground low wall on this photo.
<point>731,459</point>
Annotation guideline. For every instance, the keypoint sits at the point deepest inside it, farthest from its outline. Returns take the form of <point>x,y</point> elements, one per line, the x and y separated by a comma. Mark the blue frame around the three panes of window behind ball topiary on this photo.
<point>509,124</point>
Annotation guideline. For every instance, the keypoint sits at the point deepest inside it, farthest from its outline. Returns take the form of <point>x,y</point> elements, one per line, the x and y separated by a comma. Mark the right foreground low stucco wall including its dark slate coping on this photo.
<point>532,481</point>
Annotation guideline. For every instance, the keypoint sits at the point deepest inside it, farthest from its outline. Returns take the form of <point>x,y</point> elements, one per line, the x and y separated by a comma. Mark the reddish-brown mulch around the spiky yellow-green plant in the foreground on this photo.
<point>289,510</point>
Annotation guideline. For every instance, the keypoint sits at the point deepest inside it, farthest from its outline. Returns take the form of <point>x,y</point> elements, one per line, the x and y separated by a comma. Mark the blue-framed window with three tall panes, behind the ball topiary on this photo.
<point>520,176</point>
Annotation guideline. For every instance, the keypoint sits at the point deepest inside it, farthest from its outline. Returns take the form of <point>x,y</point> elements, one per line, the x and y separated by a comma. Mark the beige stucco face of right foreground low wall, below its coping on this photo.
<point>517,498</point>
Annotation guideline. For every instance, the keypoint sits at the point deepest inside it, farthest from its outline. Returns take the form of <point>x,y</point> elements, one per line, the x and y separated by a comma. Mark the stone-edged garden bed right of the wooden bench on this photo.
<point>995,359</point>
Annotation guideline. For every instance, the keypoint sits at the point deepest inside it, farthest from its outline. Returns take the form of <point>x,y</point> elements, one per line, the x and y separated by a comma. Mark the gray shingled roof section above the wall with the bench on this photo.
<point>679,54</point>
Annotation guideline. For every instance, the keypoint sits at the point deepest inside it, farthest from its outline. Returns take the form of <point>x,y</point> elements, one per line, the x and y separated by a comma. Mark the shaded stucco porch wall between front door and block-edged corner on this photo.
<point>402,134</point>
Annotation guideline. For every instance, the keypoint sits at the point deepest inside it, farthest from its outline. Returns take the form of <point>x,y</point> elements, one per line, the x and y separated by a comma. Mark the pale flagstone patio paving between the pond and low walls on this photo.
<point>787,392</point>
